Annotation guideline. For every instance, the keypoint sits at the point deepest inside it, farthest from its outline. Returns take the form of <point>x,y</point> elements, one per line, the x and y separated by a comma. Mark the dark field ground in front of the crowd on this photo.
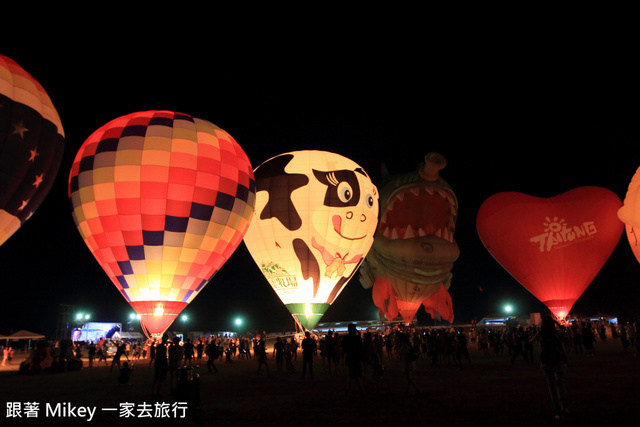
<point>602,391</point>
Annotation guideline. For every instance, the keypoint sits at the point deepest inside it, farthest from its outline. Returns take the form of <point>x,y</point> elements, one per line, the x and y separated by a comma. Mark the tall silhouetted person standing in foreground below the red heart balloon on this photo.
<point>553,361</point>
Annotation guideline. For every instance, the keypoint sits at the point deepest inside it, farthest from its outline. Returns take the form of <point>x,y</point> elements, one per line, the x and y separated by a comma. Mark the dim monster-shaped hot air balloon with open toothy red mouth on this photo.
<point>414,250</point>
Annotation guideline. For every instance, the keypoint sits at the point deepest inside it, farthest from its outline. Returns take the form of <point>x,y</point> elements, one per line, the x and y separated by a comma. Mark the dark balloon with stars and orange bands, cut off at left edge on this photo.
<point>31,146</point>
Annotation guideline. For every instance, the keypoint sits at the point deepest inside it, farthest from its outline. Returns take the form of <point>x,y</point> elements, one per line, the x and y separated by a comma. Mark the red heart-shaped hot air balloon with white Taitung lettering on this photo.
<point>553,247</point>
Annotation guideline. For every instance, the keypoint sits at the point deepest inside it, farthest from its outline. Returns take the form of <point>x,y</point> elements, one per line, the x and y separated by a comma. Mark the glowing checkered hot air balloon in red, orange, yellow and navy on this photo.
<point>162,200</point>
